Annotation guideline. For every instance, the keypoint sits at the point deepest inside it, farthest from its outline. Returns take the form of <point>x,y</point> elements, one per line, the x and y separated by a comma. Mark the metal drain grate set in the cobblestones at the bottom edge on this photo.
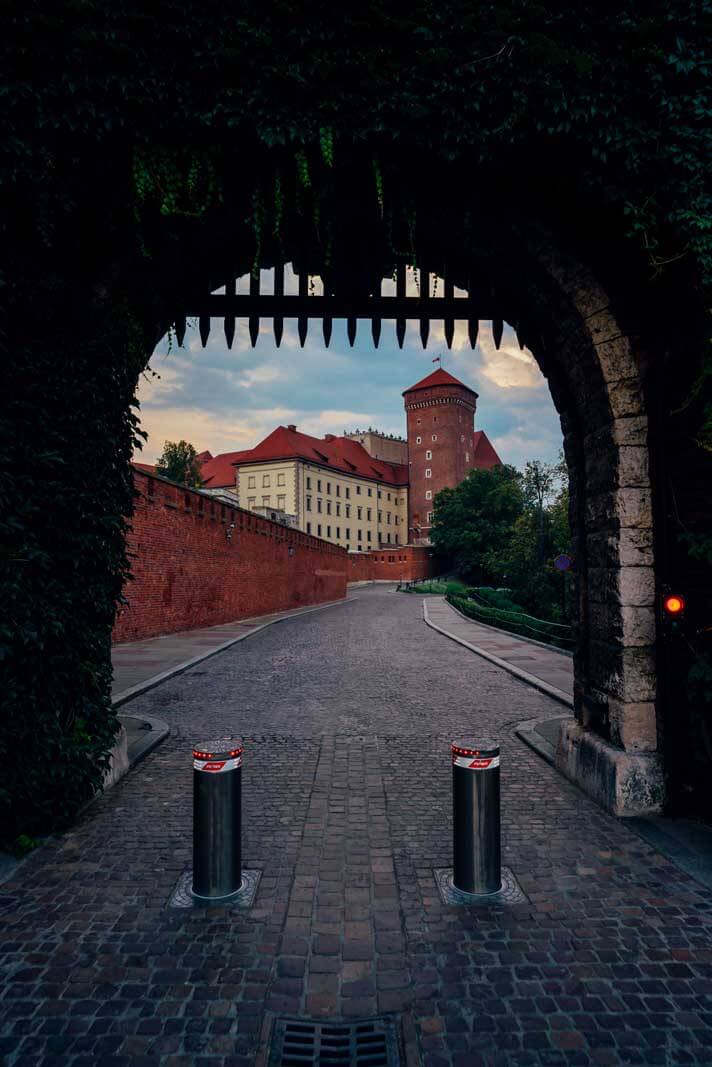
<point>371,1043</point>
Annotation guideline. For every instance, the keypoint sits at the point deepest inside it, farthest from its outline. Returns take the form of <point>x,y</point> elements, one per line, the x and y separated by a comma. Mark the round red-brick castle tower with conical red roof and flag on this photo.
<point>441,444</point>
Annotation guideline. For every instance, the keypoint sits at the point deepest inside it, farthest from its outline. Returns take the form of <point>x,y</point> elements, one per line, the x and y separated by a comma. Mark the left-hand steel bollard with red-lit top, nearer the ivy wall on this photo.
<point>217,819</point>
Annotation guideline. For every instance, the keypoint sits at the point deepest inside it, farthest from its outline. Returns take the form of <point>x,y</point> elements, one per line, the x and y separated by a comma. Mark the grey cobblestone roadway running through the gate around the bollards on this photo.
<point>347,718</point>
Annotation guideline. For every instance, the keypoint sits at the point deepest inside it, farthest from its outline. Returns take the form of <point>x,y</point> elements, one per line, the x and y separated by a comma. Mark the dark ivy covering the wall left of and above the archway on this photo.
<point>131,132</point>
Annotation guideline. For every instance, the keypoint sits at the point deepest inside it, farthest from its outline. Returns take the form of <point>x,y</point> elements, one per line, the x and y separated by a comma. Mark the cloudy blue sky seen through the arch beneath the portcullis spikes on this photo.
<point>224,400</point>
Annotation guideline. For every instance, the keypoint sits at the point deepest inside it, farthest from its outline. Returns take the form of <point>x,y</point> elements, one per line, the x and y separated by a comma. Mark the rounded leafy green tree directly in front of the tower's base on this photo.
<point>473,521</point>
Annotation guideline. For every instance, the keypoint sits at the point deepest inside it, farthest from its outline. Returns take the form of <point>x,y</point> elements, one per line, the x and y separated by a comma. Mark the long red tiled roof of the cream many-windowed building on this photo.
<point>341,454</point>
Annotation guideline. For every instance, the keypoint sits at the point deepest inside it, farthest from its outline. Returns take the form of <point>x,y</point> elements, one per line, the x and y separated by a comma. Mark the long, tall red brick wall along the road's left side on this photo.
<point>187,575</point>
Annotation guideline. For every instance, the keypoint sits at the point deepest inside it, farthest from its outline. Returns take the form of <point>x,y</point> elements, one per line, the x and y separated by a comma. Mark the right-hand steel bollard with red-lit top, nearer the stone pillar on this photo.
<point>478,867</point>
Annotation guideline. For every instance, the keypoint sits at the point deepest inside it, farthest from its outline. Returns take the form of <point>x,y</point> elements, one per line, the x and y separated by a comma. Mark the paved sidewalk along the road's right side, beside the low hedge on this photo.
<point>524,659</point>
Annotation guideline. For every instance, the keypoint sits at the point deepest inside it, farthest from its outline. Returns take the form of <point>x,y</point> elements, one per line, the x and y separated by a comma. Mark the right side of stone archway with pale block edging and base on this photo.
<point>588,356</point>
